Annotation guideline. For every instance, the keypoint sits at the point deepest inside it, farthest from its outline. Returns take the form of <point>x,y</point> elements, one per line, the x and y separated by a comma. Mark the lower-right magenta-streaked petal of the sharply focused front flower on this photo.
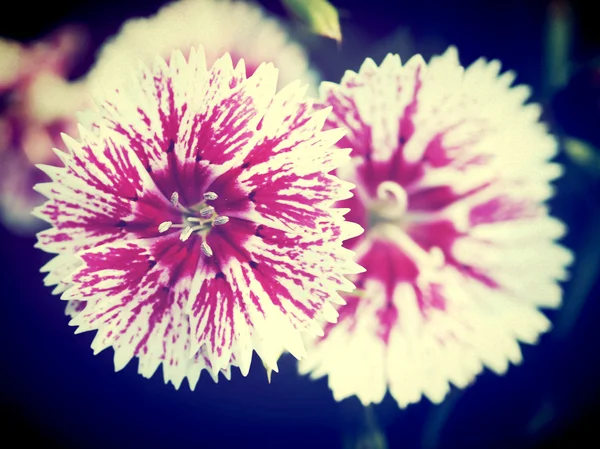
<point>275,279</point>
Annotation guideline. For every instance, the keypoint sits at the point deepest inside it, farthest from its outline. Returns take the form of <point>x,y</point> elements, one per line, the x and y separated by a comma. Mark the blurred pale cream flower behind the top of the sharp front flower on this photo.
<point>240,28</point>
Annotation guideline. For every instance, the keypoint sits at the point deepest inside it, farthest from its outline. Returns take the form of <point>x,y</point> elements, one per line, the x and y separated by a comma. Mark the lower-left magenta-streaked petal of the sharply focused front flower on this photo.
<point>138,290</point>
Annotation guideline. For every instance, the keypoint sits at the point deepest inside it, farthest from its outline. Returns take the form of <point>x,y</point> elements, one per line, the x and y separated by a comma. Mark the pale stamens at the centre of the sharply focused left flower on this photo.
<point>198,219</point>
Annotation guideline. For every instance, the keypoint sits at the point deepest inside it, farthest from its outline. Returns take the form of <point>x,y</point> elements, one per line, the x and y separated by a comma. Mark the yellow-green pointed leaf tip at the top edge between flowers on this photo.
<point>320,16</point>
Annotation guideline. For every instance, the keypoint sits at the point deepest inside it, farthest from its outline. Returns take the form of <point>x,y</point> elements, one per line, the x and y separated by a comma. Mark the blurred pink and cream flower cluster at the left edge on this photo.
<point>37,104</point>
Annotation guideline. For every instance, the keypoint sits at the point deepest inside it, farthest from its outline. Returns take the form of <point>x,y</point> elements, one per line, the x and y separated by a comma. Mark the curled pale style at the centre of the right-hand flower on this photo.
<point>390,206</point>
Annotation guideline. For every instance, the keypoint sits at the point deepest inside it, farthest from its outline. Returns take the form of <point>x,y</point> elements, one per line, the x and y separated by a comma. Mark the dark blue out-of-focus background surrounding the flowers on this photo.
<point>53,391</point>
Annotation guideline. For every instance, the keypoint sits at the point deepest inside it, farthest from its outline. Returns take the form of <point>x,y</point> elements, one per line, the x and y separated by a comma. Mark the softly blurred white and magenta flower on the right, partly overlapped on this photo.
<point>452,170</point>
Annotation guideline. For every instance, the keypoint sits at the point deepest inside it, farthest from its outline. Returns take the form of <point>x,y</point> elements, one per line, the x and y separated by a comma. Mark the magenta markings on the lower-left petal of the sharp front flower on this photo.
<point>147,280</point>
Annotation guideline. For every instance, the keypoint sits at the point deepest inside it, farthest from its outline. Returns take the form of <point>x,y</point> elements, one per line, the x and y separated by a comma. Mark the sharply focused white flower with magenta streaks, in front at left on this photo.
<point>195,221</point>
